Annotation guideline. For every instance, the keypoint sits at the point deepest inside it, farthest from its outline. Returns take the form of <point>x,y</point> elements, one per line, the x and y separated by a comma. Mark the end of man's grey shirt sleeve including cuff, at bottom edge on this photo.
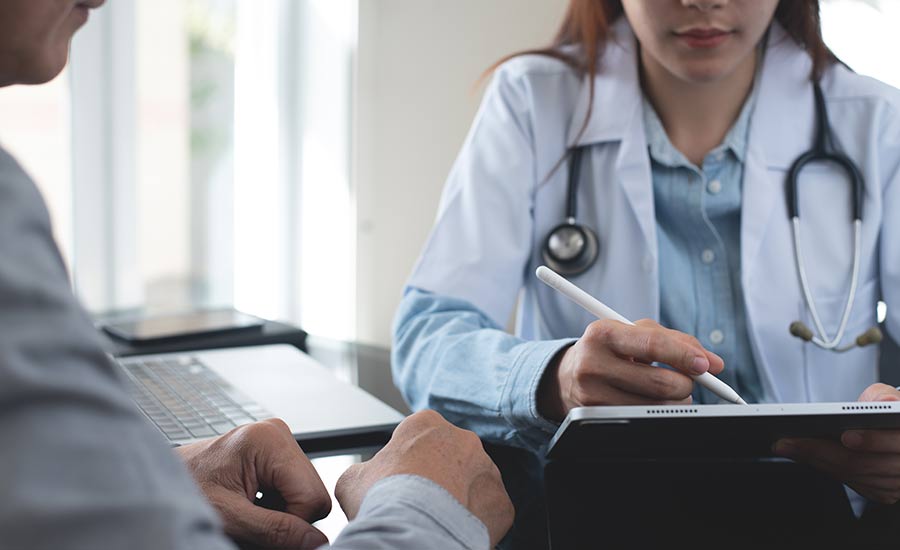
<point>410,512</point>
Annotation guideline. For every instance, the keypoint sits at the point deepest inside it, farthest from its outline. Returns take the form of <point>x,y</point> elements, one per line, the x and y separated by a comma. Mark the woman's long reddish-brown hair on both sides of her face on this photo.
<point>587,23</point>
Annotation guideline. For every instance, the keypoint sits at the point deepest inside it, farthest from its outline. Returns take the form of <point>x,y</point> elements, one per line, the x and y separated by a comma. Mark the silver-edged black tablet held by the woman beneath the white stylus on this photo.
<point>709,431</point>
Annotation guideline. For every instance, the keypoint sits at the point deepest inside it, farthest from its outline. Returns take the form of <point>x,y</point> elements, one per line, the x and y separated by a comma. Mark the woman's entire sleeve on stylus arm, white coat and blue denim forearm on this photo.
<point>450,351</point>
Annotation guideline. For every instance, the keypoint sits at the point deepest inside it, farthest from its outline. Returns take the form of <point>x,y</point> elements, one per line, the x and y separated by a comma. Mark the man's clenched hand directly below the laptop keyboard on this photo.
<point>262,456</point>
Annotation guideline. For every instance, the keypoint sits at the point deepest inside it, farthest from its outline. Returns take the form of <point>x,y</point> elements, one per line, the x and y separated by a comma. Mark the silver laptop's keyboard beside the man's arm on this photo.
<point>186,399</point>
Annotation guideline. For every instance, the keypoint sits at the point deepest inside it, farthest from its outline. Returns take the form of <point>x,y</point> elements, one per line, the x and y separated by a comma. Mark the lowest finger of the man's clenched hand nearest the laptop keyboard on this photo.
<point>249,523</point>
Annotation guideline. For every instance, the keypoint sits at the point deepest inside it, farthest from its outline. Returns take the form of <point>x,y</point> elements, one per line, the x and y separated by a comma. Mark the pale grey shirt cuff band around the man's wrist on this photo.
<point>433,502</point>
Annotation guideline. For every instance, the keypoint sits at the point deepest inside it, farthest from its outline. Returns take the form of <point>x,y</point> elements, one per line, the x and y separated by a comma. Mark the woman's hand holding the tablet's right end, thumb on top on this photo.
<point>866,460</point>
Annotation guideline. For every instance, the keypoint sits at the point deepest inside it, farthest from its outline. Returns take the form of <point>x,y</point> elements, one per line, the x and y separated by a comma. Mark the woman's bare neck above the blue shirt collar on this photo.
<point>697,116</point>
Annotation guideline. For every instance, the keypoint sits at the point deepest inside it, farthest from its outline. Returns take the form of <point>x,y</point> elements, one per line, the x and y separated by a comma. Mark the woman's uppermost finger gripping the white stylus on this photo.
<point>648,344</point>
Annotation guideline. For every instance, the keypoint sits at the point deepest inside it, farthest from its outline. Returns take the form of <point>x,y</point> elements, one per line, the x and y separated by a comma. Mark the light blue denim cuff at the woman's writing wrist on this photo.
<point>518,401</point>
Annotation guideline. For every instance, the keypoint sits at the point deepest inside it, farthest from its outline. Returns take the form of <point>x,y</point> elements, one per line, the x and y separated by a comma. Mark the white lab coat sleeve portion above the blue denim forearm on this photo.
<point>481,242</point>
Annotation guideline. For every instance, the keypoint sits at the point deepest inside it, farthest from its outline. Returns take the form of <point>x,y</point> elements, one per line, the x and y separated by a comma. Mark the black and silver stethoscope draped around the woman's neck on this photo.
<point>572,248</point>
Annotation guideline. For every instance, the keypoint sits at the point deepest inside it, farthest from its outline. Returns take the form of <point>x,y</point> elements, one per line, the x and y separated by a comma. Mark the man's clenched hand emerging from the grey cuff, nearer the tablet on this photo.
<point>428,446</point>
